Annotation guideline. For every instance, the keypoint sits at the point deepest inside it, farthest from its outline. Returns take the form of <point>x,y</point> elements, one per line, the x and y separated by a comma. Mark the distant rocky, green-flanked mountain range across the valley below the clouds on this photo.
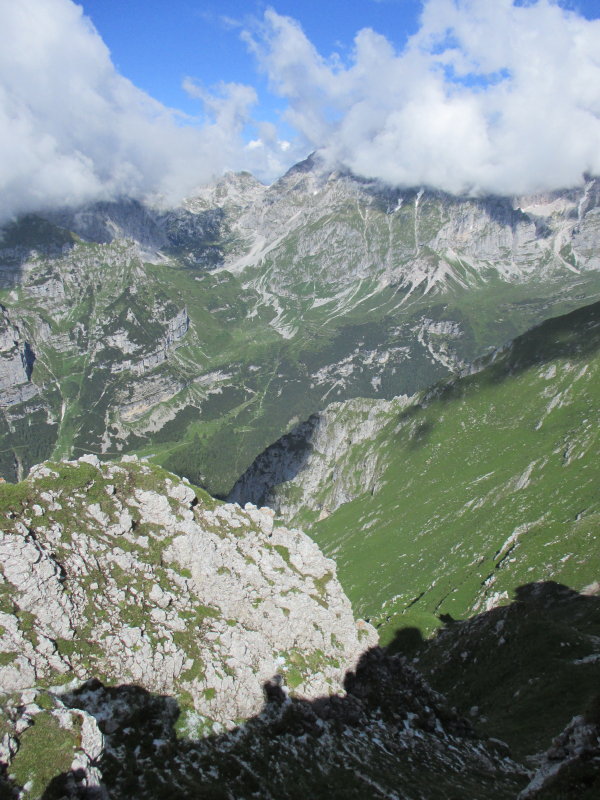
<point>199,335</point>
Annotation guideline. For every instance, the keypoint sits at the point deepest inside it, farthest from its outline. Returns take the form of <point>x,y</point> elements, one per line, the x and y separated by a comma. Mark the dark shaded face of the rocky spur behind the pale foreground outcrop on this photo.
<point>280,462</point>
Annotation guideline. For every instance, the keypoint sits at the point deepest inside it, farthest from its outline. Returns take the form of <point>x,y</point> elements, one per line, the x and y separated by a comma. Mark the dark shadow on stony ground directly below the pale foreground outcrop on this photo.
<point>390,734</point>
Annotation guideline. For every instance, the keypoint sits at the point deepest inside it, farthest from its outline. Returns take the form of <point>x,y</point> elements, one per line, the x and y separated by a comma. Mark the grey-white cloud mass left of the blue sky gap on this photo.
<point>72,129</point>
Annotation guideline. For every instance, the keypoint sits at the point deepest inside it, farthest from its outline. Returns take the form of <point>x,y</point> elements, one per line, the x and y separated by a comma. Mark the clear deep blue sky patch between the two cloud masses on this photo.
<point>156,44</point>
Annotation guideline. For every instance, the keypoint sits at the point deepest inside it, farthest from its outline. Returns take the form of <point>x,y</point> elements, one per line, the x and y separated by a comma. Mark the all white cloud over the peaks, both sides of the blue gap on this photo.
<point>486,97</point>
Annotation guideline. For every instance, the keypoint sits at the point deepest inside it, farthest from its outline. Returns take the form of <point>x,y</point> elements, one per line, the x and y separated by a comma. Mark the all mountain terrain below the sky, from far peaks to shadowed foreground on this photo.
<point>408,376</point>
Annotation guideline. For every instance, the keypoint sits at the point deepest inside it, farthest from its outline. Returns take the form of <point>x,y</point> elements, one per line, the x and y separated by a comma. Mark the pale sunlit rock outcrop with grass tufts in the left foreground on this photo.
<point>119,571</point>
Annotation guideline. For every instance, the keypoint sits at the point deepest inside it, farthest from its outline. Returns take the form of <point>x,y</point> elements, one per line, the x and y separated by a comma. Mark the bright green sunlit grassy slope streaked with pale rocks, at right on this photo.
<point>490,485</point>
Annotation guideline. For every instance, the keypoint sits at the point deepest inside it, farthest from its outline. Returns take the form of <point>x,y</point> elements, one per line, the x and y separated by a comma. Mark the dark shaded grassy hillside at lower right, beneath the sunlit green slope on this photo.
<point>527,667</point>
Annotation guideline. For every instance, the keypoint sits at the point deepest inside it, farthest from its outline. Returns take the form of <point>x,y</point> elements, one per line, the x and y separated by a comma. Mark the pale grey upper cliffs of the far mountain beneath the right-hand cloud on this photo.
<point>420,239</point>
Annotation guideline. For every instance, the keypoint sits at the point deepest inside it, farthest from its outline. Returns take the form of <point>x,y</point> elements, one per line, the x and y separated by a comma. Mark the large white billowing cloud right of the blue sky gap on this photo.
<point>488,96</point>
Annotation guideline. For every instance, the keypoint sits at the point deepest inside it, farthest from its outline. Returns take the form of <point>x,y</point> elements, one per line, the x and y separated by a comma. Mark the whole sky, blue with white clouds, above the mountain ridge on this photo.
<point>466,96</point>
